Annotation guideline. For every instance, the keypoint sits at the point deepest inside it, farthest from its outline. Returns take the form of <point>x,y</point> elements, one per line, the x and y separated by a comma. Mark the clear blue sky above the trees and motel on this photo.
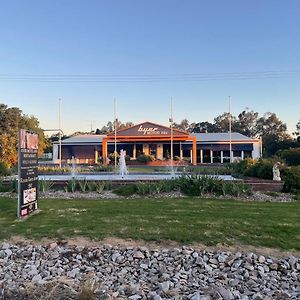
<point>68,37</point>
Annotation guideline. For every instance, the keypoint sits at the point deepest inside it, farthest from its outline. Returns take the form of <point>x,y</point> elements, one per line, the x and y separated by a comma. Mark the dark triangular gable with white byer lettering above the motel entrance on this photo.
<point>148,129</point>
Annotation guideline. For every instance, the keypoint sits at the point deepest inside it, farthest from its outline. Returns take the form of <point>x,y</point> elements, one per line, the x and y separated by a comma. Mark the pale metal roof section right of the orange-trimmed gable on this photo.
<point>221,137</point>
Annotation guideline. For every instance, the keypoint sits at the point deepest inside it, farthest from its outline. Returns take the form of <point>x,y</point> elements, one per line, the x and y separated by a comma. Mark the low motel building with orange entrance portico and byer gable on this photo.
<point>153,139</point>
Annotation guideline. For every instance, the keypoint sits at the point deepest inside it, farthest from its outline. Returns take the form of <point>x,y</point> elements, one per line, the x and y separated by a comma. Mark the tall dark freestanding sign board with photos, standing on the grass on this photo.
<point>28,173</point>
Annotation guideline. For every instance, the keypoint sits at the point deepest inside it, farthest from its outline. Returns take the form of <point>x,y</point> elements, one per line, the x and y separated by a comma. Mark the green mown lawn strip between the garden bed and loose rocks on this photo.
<point>187,220</point>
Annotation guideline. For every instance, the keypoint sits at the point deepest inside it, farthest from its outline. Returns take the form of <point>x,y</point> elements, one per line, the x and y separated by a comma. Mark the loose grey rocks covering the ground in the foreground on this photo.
<point>61,271</point>
